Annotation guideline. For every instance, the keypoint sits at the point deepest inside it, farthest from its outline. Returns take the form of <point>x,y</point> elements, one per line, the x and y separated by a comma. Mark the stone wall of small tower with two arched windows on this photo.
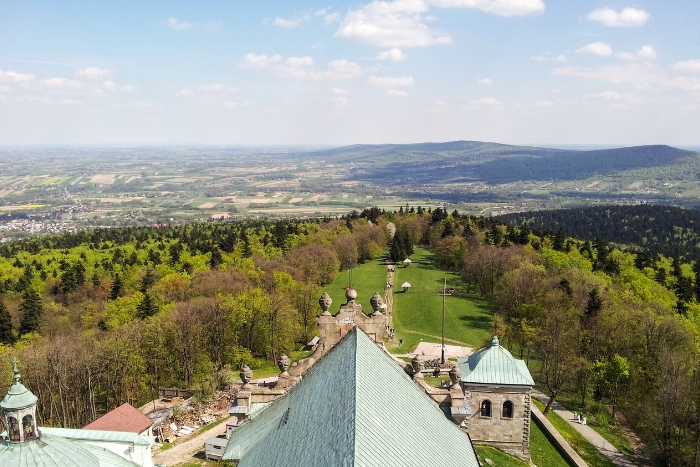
<point>511,435</point>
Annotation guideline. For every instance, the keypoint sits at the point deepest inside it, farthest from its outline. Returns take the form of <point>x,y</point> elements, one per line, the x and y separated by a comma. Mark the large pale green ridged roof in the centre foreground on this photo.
<point>354,407</point>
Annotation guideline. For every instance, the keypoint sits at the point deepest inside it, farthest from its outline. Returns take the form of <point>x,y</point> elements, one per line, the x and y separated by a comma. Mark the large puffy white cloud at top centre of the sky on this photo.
<point>391,24</point>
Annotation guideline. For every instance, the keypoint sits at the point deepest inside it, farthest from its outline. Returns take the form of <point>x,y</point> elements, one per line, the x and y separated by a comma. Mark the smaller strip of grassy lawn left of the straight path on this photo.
<point>366,279</point>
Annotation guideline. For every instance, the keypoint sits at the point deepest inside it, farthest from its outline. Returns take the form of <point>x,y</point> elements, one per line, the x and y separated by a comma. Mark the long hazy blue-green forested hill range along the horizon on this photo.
<point>464,161</point>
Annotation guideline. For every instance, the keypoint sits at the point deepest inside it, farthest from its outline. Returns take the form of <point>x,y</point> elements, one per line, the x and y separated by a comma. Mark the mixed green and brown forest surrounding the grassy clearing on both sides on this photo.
<point>103,317</point>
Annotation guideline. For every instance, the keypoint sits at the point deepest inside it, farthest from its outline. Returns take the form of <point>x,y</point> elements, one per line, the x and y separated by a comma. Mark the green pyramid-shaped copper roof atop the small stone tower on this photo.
<point>494,365</point>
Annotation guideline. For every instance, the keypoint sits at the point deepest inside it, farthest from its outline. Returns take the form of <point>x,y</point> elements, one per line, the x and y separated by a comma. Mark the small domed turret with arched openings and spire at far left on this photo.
<point>19,411</point>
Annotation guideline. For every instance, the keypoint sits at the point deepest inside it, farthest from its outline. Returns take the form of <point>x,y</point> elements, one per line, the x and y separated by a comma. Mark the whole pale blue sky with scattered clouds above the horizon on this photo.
<point>313,73</point>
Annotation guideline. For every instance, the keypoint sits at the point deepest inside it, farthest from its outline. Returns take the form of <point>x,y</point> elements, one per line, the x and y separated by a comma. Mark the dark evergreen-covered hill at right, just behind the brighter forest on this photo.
<point>668,230</point>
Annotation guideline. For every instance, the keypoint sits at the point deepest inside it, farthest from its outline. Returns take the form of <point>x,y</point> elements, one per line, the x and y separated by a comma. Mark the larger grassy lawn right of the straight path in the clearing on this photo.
<point>418,312</point>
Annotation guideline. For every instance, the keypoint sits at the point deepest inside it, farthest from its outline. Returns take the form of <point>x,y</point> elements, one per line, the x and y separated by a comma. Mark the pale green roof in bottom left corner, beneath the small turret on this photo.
<point>54,451</point>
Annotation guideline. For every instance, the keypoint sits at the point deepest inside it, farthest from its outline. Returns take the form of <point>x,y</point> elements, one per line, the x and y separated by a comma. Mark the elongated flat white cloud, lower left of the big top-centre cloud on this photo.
<point>302,67</point>
